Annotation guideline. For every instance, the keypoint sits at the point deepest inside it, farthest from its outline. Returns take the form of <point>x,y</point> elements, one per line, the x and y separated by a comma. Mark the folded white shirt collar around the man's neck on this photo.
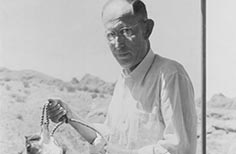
<point>142,68</point>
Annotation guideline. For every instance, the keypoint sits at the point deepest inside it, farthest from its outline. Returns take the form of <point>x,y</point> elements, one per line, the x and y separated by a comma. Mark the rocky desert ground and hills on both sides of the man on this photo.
<point>23,93</point>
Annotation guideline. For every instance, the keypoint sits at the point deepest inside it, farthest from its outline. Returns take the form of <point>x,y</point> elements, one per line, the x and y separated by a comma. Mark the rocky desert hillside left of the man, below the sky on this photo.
<point>22,95</point>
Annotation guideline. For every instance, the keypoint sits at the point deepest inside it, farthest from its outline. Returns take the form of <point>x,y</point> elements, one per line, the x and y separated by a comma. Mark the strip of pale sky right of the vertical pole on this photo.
<point>221,47</point>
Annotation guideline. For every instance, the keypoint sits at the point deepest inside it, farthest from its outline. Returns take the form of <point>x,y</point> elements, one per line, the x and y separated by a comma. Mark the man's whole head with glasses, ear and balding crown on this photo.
<point>127,29</point>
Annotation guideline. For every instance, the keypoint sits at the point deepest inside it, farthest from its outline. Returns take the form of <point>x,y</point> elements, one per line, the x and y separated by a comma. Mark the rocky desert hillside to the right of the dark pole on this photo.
<point>221,124</point>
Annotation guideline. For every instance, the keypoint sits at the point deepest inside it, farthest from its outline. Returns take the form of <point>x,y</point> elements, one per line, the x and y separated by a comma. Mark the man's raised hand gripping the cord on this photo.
<point>57,109</point>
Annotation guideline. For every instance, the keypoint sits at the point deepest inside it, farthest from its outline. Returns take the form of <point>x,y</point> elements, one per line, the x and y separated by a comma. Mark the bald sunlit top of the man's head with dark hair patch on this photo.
<point>114,9</point>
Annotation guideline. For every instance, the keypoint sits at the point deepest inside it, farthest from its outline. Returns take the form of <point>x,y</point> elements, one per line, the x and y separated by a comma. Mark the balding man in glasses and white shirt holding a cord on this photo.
<point>152,110</point>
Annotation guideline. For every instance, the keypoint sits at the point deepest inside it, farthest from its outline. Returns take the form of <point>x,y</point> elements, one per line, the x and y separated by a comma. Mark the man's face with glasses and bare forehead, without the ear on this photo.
<point>124,33</point>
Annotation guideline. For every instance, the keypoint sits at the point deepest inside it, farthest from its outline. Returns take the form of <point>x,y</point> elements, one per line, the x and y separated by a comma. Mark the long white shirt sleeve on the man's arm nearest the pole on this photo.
<point>179,116</point>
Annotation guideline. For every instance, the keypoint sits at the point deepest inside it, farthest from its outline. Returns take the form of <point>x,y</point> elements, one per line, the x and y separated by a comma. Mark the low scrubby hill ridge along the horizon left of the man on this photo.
<point>88,83</point>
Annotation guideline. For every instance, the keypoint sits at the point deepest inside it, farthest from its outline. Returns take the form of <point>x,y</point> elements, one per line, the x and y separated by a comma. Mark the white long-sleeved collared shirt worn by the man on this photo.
<point>152,109</point>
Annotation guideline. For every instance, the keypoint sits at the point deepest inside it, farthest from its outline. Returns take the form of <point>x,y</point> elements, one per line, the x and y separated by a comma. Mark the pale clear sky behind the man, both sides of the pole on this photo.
<point>65,39</point>
